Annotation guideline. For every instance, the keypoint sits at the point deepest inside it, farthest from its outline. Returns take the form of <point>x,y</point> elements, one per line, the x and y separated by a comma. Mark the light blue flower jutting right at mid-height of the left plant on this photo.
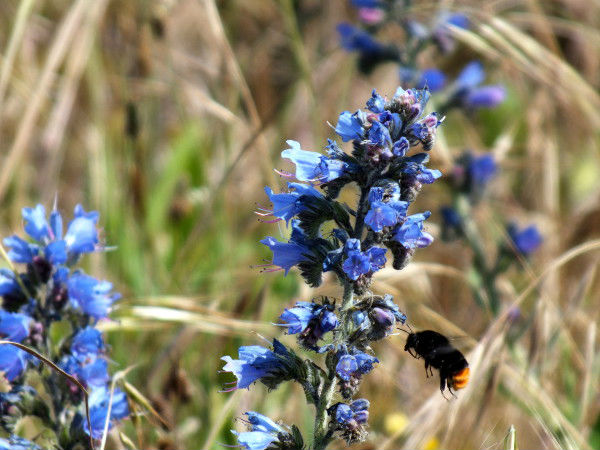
<point>92,296</point>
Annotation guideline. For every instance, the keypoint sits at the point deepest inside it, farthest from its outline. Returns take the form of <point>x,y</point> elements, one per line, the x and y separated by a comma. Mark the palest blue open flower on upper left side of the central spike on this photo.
<point>312,166</point>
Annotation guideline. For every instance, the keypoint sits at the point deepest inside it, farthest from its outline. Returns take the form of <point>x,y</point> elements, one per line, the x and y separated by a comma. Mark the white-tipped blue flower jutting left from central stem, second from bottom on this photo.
<point>254,363</point>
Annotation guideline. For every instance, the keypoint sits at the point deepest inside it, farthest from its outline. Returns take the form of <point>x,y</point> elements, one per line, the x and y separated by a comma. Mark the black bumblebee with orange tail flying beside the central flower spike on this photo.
<point>438,353</point>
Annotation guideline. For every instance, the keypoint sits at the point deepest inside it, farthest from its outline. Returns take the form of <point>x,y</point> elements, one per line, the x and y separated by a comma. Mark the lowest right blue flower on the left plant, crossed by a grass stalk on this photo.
<point>99,400</point>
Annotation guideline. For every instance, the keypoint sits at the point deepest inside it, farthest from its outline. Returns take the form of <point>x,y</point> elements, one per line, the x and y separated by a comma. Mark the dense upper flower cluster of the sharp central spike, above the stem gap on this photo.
<point>381,135</point>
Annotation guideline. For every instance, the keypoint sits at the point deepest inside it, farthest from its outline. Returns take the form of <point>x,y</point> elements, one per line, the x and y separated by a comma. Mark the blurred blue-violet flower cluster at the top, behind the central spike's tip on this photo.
<point>466,91</point>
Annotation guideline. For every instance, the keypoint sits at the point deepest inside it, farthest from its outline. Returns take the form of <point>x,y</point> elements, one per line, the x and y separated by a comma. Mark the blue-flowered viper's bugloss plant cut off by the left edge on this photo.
<point>53,307</point>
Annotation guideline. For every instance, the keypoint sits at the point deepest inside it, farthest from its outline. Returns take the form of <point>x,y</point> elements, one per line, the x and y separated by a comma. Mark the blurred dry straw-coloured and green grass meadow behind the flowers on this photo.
<point>169,116</point>
